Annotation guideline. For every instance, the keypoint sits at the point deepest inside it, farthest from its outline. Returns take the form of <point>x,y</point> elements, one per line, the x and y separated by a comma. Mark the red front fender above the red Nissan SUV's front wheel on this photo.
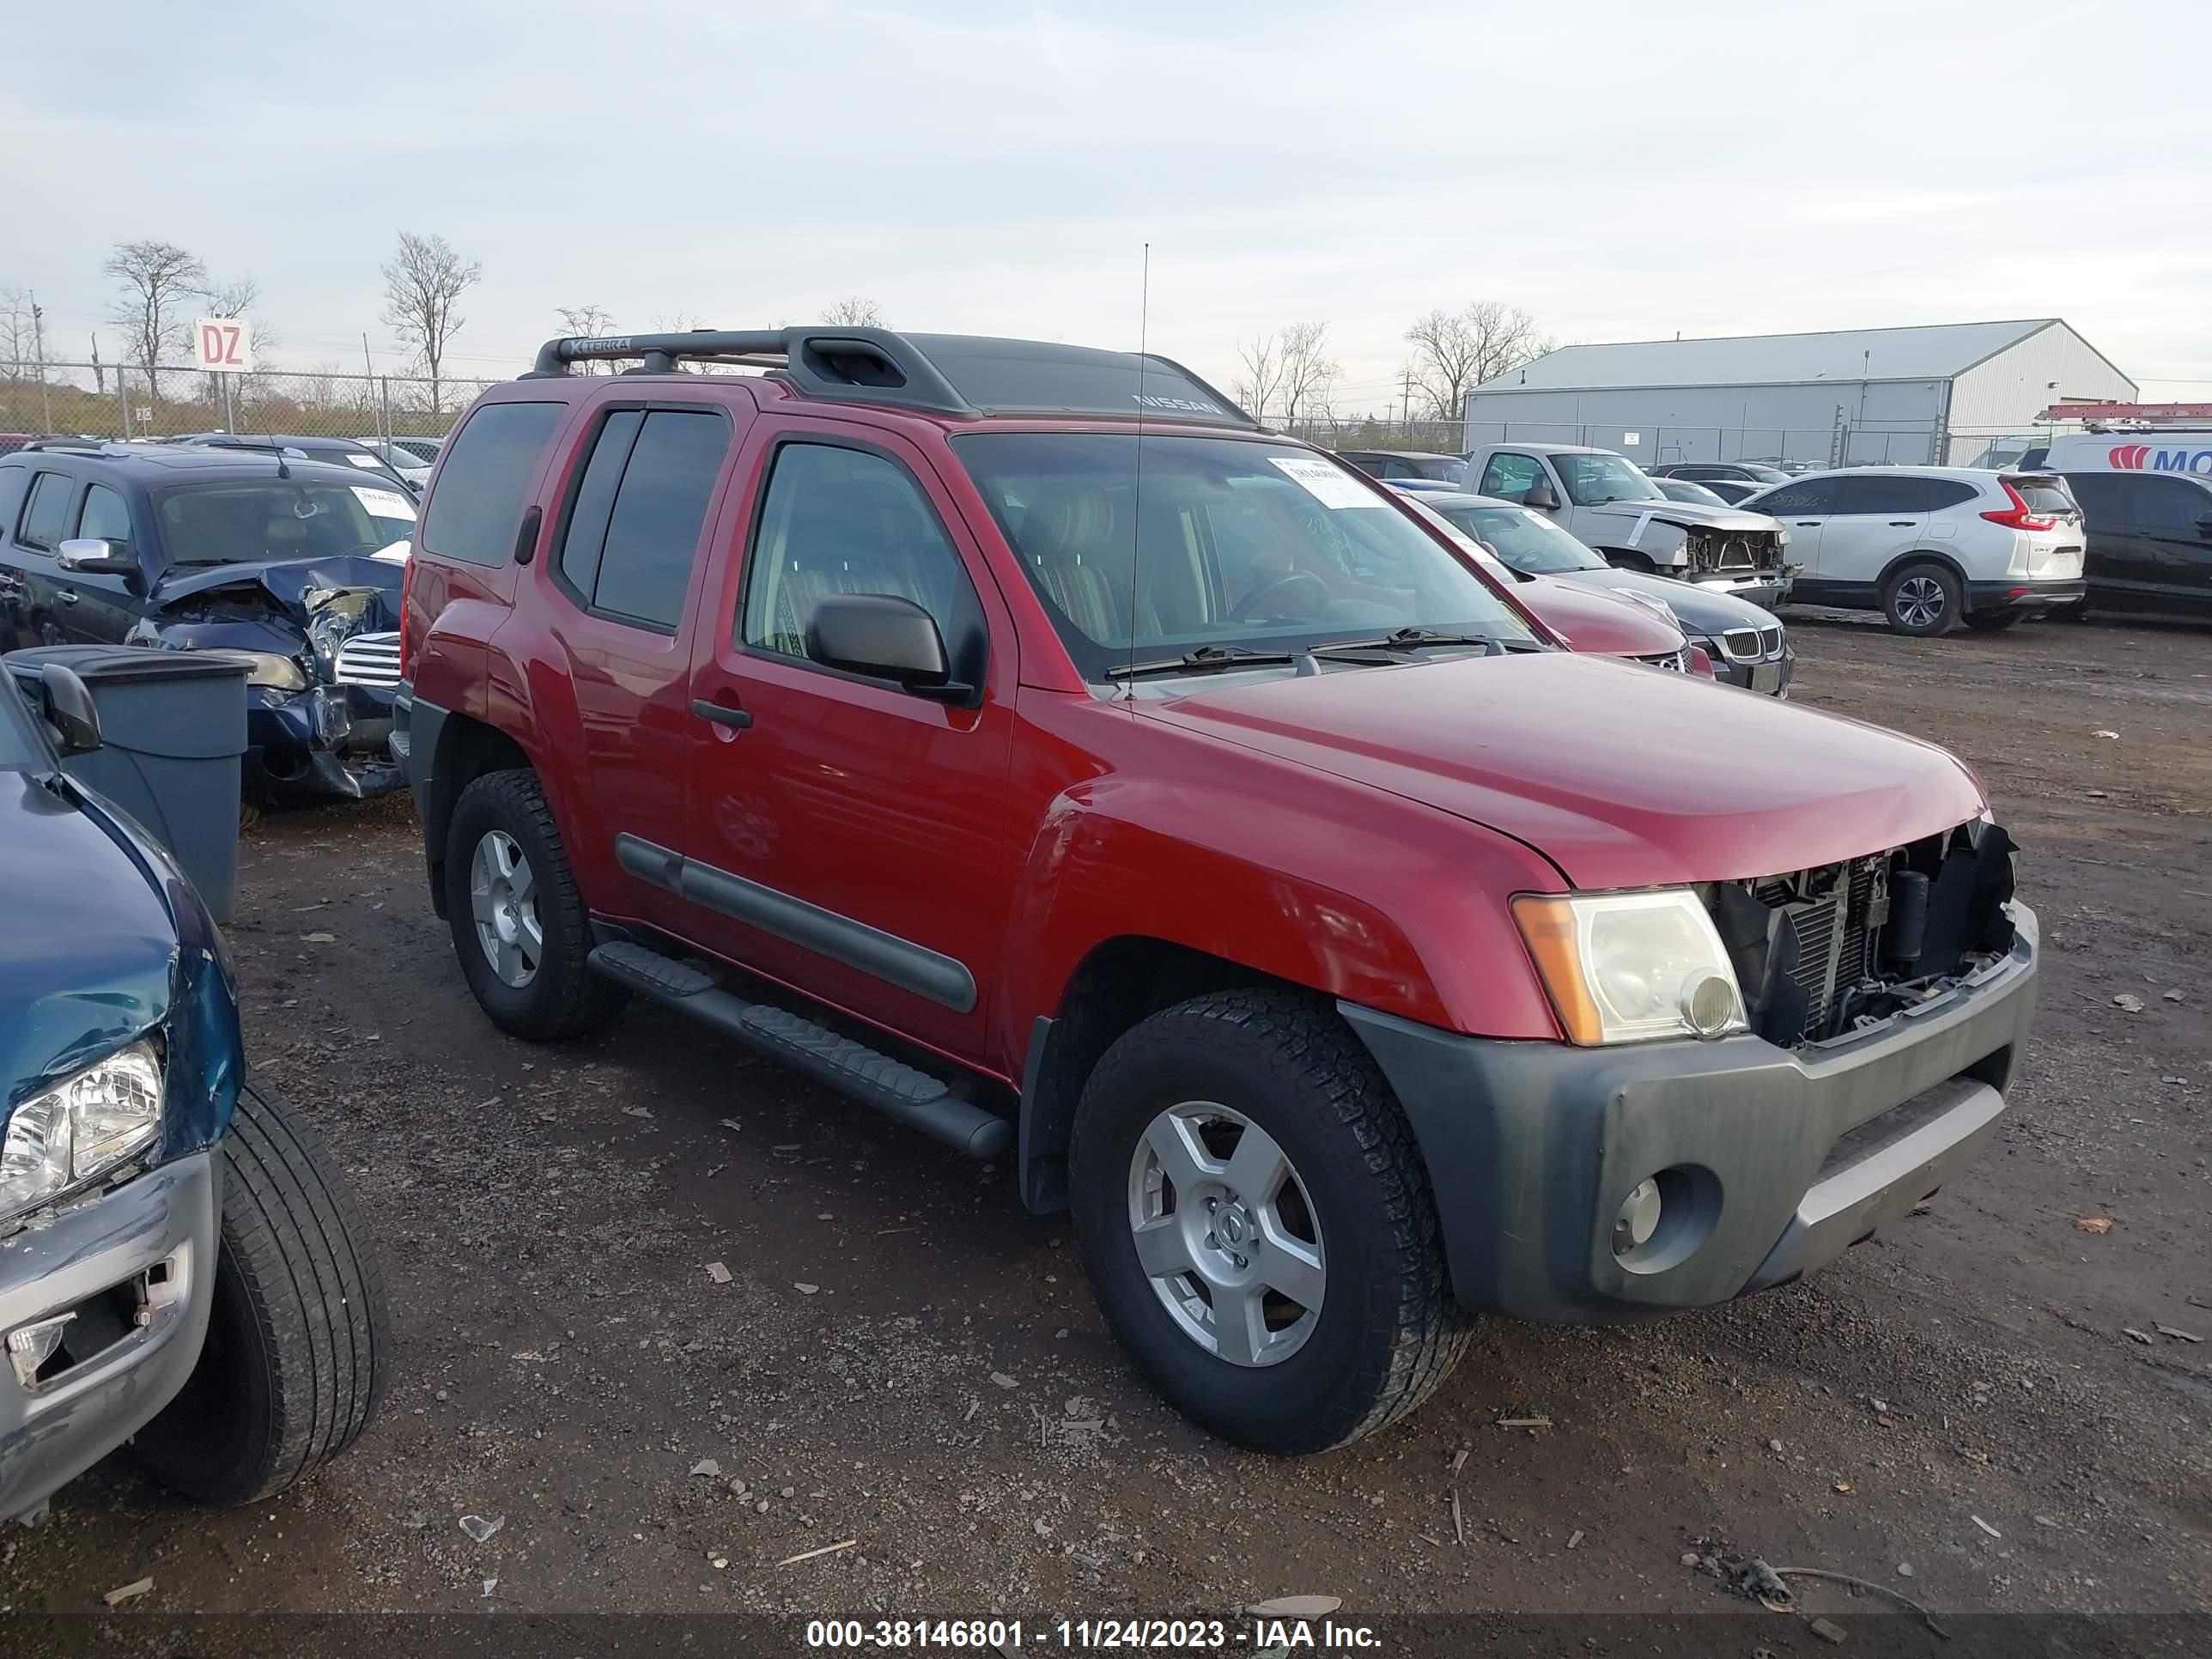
<point>1322,895</point>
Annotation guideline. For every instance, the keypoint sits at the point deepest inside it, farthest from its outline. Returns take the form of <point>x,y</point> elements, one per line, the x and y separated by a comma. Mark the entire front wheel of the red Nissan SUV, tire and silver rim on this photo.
<point>1258,1224</point>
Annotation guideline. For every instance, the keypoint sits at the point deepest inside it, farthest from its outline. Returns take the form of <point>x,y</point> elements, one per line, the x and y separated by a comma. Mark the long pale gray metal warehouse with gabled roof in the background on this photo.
<point>1934,395</point>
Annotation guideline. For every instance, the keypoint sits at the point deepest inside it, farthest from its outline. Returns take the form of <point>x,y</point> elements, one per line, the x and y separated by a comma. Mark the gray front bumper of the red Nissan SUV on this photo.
<point>1780,1158</point>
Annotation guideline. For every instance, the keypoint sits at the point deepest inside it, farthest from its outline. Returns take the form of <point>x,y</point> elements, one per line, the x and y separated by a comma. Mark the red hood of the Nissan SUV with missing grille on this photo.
<point>1620,775</point>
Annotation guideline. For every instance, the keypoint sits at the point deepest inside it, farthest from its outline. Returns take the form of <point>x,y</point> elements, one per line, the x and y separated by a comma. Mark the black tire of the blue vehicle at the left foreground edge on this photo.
<point>300,1339</point>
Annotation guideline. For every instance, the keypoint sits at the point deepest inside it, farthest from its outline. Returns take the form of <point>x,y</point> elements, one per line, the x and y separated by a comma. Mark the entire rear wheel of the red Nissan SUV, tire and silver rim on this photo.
<point>519,919</point>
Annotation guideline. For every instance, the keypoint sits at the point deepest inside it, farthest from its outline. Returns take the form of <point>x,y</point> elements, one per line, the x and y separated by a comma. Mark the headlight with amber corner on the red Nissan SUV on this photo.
<point>1625,968</point>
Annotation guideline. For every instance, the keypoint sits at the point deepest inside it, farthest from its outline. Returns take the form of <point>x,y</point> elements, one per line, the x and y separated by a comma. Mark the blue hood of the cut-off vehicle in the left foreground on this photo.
<point>90,948</point>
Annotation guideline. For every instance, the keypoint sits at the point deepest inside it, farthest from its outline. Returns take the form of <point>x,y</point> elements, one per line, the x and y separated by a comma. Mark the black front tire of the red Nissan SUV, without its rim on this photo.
<point>1388,1331</point>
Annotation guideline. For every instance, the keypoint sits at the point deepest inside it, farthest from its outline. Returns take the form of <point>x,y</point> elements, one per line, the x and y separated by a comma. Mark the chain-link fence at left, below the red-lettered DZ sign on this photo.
<point>107,401</point>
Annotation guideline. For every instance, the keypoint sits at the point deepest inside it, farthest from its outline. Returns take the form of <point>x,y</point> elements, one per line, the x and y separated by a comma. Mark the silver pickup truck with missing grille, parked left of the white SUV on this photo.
<point>1611,505</point>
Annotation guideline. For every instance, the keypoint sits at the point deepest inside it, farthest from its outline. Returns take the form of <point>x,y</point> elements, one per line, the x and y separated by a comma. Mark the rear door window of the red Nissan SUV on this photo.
<point>640,505</point>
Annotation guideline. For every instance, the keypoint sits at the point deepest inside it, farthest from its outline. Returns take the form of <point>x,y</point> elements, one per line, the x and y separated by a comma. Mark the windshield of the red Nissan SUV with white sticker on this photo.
<point>1238,545</point>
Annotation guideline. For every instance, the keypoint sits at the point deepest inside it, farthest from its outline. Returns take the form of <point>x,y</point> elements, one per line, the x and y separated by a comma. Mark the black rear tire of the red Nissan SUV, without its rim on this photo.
<point>565,999</point>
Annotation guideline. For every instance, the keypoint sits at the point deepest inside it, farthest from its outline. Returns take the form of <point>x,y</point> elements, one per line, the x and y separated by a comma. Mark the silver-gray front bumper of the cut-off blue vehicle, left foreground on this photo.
<point>65,1426</point>
